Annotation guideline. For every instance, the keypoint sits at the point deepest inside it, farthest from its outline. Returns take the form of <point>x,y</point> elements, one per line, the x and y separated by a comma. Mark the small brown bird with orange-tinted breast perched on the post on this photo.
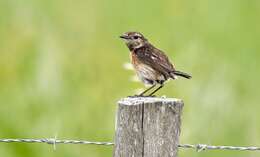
<point>151,64</point>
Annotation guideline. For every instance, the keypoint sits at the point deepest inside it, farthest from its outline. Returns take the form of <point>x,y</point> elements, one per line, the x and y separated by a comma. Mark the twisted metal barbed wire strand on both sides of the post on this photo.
<point>54,142</point>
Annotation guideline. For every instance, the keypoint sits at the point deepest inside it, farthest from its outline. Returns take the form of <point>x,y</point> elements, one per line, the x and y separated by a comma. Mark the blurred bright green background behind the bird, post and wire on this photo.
<point>61,70</point>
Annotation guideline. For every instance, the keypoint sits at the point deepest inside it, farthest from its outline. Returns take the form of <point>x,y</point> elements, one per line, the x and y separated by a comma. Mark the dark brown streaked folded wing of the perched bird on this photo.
<point>156,59</point>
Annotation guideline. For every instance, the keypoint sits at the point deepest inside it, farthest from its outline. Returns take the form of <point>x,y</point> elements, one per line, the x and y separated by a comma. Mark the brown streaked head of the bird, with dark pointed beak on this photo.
<point>134,40</point>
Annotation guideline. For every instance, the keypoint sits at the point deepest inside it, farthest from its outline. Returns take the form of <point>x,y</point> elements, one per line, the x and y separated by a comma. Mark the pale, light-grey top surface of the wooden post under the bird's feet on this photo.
<point>140,100</point>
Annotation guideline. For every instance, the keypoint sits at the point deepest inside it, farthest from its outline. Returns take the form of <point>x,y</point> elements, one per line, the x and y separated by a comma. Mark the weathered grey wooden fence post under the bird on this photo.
<point>148,127</point>
